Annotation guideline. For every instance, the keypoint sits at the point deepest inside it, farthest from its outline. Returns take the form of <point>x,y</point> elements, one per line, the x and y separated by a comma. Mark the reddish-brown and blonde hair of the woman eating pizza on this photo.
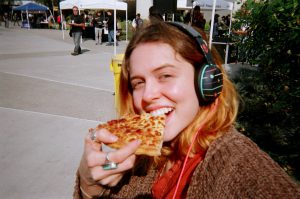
<point>216,124</point>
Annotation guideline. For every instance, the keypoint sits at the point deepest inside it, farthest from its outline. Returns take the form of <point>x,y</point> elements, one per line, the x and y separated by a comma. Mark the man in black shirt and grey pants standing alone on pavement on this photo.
<point>77,25</point>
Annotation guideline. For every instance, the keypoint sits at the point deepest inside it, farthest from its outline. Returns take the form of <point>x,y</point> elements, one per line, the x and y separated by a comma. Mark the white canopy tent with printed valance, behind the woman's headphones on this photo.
<point>212,5</point>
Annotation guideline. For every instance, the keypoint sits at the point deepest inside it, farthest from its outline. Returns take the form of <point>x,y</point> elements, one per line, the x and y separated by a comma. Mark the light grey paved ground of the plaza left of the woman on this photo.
<point>48,100</point>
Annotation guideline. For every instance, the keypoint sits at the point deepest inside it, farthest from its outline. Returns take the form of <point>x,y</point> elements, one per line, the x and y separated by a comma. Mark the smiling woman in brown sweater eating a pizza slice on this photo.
<point>203,156</point>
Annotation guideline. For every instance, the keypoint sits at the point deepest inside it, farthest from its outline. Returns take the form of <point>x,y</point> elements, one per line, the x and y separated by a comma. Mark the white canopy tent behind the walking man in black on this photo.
<point>97,4</point>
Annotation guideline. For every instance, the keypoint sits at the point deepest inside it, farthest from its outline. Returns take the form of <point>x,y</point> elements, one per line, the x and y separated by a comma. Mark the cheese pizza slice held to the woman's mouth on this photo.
<point>145,127</point>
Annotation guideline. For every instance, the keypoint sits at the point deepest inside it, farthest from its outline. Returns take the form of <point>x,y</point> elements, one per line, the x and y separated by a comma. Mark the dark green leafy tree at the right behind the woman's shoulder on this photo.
<point>271,94</point>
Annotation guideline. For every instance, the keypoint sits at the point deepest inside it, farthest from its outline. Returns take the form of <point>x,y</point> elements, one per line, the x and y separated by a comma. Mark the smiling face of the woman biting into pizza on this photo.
<point>163,83</point>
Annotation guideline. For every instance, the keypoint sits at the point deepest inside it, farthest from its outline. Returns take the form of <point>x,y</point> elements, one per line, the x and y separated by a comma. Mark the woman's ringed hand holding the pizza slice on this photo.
<point>91,171</point>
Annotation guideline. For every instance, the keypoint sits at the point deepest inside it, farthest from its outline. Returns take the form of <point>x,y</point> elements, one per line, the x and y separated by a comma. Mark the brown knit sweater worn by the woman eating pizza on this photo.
<point>233,167</point>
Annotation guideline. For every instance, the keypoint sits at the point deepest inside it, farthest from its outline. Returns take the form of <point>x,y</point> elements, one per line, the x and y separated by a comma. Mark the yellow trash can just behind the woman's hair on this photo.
<point>115,67</point>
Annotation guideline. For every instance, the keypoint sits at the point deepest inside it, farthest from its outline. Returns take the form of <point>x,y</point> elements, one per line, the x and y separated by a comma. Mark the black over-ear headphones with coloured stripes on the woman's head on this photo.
<point>208,77</point>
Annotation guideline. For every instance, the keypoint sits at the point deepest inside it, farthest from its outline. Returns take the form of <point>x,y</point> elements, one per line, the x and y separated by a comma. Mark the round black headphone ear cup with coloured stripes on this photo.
<point>209,83</point>
